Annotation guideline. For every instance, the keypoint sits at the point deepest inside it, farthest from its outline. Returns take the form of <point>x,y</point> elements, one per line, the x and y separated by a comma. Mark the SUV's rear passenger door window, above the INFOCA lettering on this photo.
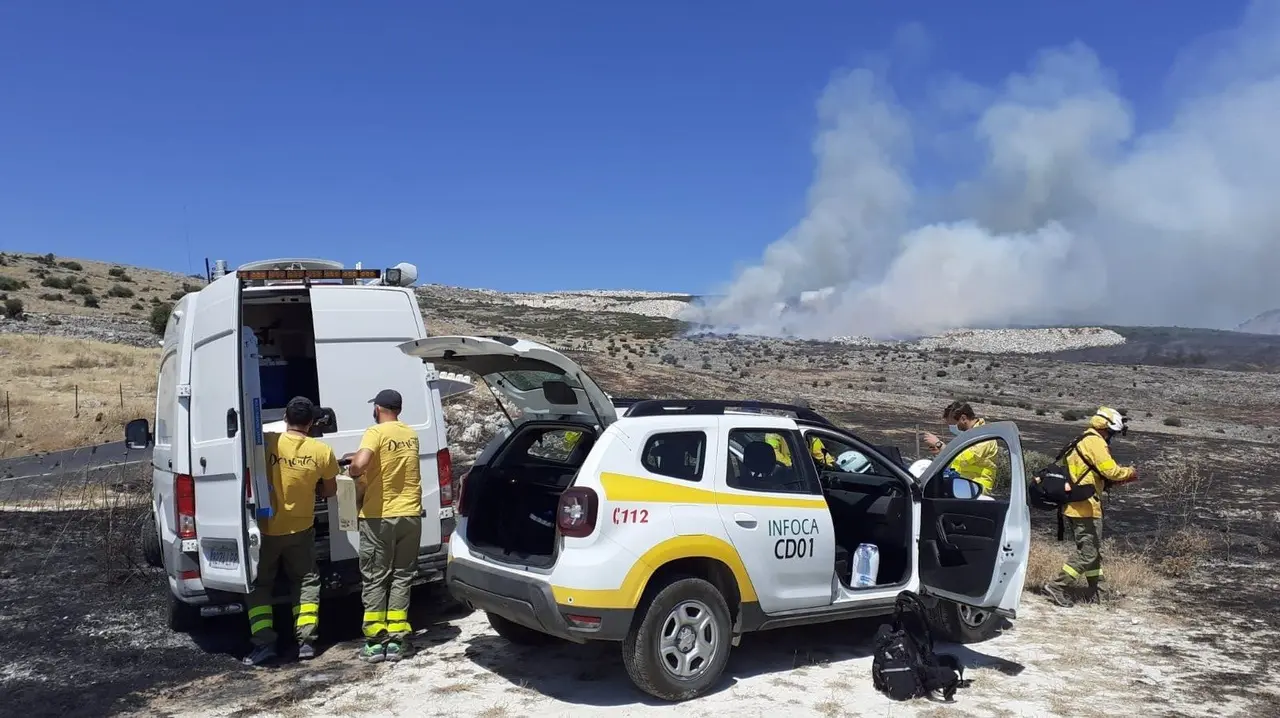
<point>767,461</point>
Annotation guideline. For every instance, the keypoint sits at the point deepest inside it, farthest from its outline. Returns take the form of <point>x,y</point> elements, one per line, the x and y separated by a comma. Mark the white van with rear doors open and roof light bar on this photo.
<point>314,330</point>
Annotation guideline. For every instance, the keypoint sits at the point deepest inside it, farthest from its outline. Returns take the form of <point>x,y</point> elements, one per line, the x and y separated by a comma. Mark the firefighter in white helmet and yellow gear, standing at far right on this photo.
<point>1091,465</point>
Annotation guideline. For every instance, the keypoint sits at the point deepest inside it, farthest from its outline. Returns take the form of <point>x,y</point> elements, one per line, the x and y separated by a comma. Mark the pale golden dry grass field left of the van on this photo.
<point>43,377</point>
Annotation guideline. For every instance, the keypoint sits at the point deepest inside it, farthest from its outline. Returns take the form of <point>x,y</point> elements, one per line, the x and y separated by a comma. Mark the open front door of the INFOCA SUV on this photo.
<point>975,552</point>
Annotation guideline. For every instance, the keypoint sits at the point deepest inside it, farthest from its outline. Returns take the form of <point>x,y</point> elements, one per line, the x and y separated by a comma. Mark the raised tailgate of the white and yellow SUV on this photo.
<point>541,382</point>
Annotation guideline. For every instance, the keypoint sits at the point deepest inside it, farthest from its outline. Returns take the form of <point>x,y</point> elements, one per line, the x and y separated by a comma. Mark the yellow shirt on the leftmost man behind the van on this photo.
<point>295,465</point>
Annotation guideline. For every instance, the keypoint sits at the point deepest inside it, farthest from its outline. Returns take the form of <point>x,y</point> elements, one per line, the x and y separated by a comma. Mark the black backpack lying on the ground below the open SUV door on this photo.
<point>904,665</point>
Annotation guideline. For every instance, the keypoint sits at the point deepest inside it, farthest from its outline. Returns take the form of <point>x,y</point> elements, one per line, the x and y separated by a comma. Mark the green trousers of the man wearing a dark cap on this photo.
<point>388,564</point>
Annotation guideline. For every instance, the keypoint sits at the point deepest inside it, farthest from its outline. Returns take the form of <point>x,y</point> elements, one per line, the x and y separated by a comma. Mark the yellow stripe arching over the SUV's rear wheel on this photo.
<point>638,578</point>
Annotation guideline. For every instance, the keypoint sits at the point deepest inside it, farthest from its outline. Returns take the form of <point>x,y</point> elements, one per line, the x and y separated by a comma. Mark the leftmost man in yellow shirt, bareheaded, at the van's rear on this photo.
<point>296,464</point>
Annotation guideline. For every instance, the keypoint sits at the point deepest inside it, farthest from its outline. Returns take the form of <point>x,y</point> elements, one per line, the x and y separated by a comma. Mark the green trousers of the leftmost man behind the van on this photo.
<point>296,556</point>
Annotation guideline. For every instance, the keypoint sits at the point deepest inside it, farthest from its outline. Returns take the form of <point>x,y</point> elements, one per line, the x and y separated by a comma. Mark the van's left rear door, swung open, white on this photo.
<point>218,429</point>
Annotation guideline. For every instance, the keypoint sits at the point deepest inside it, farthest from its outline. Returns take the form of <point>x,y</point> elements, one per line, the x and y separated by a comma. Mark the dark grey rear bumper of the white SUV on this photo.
<point>531,603</point>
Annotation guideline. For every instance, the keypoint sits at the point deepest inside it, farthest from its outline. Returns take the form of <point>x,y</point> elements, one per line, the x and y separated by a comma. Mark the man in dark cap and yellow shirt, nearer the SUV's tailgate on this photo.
<point>391,527</point>
